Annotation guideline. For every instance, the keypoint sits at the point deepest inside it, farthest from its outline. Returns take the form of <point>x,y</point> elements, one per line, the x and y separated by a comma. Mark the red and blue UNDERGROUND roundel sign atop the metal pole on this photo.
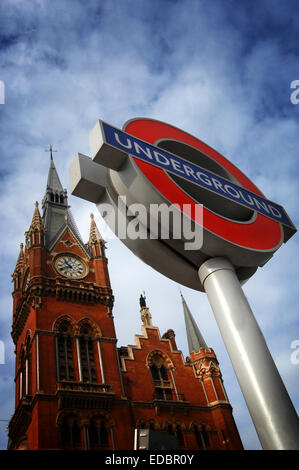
<point>152,163</point>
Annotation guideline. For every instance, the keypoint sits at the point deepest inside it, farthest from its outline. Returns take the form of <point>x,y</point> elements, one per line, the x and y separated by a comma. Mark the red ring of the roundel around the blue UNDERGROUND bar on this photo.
<point>260,234</point>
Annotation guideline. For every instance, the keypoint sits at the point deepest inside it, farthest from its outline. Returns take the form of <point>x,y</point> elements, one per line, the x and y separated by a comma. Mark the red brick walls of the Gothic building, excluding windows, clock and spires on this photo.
<point>197,396</point>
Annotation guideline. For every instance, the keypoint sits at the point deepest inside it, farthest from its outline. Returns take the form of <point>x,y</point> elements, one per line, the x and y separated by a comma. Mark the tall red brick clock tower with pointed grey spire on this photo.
<point>64,334</point>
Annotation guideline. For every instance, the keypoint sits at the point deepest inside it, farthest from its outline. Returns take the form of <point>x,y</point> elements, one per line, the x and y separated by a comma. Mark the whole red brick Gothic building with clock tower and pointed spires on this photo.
<point>75,389</point>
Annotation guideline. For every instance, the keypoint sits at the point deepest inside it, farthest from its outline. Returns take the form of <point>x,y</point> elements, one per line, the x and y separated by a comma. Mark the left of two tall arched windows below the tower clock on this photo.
<point>64,353</point>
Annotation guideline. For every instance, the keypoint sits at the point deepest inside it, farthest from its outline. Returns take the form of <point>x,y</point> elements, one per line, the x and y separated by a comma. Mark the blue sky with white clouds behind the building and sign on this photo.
<point>219,70</point>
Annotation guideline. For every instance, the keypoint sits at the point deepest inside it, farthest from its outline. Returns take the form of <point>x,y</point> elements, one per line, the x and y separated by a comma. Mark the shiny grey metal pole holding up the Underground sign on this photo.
<point>269,404</point>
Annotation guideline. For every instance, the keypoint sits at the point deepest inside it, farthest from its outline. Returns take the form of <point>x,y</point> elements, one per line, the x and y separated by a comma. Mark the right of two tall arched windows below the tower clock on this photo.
<point>87,361</point>
